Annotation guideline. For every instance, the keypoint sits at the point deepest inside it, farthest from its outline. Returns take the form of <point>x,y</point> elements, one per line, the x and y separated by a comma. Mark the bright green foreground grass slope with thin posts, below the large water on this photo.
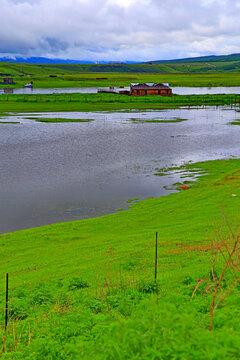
<point>117,316</point>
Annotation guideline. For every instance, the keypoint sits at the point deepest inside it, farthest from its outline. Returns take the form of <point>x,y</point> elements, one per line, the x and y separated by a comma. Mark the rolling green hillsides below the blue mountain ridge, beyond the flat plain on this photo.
<point>208,65</point>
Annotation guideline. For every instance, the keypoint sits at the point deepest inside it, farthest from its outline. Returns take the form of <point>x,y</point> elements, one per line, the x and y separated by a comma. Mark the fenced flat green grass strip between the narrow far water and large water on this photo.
<point>104,102</point>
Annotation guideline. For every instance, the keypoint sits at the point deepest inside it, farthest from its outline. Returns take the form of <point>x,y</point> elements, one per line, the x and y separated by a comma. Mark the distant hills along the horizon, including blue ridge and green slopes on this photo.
<point>44,66</point>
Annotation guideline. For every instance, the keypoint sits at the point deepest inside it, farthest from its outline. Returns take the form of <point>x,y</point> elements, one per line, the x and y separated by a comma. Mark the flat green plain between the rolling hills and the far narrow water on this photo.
<point>122,79</point>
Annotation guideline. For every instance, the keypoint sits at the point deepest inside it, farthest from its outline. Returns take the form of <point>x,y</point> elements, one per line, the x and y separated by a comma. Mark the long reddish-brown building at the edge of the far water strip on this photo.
<point>150,89</point>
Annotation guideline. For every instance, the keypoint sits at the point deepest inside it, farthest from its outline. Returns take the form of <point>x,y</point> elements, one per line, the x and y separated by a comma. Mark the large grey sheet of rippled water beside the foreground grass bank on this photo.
<point>59,172</point>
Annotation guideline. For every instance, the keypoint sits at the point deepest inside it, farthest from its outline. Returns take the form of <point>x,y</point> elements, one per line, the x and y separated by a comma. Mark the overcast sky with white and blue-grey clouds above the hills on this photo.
<point>119,30</point>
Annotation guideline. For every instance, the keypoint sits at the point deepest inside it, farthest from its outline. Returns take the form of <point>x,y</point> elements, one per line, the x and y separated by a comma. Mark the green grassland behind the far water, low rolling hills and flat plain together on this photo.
<point>80,75</point>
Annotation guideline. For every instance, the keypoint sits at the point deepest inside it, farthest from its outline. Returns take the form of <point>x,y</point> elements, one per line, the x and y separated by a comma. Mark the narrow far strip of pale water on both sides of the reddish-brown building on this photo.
<point>176,90</point>
